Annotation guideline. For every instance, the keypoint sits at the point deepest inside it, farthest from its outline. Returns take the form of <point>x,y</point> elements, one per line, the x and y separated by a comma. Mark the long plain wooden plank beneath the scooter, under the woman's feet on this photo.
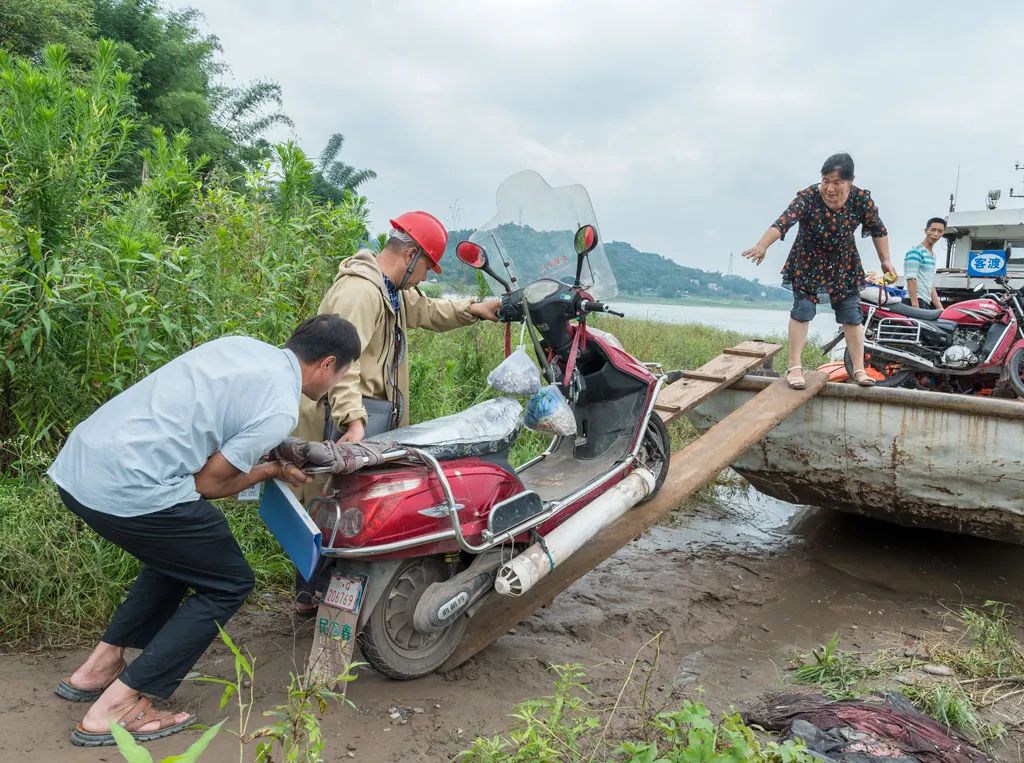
<point>692,469</point>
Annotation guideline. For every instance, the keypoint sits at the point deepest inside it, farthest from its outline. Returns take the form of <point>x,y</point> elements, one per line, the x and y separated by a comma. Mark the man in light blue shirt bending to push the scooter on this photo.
<point>140,472</point>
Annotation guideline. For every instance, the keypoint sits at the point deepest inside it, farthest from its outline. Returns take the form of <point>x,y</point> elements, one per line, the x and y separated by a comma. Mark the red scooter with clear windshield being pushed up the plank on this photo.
<point>429,539</point>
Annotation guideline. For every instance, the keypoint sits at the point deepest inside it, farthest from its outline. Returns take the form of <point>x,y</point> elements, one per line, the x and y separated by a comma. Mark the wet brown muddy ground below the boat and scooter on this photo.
<point>737,588</point>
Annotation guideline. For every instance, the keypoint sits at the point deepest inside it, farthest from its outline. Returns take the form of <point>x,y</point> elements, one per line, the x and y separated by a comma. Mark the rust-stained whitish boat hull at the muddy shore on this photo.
<point>917,459</point>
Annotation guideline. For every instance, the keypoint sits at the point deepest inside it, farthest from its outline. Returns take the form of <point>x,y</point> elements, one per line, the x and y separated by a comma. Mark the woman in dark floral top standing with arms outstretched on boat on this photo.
<point>825,261</point>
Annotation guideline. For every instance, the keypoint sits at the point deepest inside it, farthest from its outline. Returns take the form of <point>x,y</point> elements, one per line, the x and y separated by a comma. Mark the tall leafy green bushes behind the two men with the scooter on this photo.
<point>103,286</point>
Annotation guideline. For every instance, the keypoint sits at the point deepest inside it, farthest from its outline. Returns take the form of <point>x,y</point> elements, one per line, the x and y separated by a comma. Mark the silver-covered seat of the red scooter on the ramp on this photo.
<point>484,430</point>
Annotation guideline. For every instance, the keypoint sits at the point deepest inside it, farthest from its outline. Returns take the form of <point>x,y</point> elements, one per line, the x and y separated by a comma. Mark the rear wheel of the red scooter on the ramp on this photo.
<point>390,642</point>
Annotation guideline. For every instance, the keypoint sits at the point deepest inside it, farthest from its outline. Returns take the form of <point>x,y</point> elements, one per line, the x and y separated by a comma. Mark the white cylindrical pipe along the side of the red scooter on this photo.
<point>524,572</point>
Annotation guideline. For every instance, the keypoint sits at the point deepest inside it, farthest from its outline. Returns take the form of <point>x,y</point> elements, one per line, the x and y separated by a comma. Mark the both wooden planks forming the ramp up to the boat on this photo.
<point>691,470</point>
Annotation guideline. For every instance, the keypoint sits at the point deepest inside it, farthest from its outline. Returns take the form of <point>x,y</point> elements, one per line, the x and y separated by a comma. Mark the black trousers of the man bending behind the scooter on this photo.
<point>189,546</point>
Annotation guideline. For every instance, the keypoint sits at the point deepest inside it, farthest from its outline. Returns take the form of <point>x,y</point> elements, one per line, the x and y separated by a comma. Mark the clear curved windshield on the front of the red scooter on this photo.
<point>534,231</point>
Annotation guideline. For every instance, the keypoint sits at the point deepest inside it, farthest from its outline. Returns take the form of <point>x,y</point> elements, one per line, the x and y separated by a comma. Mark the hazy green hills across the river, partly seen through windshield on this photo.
<point>638,274</point>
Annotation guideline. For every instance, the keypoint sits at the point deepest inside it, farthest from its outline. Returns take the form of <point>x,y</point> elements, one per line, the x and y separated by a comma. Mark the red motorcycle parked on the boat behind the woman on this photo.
<point>968,347</point>
